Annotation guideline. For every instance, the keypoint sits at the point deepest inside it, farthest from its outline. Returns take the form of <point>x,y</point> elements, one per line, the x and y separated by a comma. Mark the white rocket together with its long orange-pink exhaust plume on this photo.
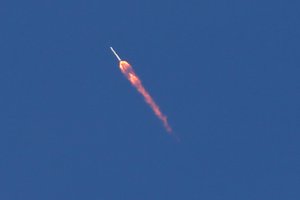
<point>129,73</point>
